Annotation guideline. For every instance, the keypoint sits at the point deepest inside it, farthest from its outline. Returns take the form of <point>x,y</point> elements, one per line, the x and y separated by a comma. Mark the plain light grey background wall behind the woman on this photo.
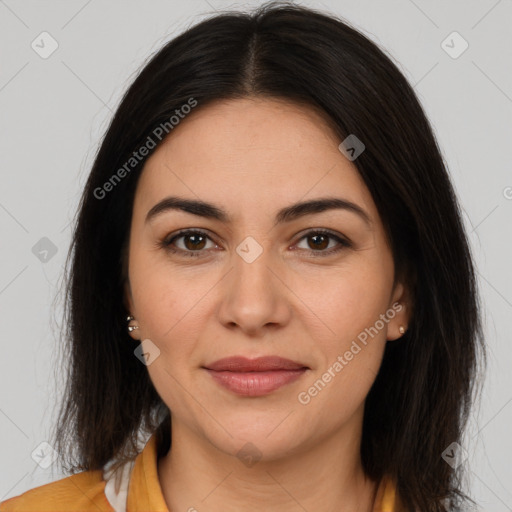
<point>55,110</point>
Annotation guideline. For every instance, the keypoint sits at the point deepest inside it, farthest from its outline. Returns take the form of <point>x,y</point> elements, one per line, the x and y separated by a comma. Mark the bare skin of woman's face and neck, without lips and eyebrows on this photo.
<point>252,157</point>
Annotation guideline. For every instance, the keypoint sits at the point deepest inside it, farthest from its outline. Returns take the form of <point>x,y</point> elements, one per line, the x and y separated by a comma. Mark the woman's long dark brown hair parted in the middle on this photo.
<point>421,397</point>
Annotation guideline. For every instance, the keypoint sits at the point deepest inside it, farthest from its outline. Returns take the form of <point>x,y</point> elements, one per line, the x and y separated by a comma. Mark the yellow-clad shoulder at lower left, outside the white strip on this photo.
<point>83,491</point>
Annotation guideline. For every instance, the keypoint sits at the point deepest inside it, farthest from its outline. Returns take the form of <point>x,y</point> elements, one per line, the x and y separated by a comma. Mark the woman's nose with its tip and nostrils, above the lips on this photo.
<point>255,297</point>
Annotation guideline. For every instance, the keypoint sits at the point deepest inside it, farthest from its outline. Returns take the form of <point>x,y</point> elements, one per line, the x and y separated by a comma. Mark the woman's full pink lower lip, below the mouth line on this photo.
<point>255,383</point>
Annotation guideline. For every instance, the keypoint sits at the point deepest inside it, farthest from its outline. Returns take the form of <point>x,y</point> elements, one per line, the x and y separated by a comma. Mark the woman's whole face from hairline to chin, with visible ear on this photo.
<point>253,278</point>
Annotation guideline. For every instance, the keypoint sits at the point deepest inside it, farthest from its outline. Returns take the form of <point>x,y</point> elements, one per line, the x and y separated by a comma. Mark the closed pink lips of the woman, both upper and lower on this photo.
<point>255,377</point>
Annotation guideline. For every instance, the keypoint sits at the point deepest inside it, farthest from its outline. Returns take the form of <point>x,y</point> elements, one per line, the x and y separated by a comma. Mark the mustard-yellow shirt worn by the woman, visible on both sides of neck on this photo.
<point>86,491</point>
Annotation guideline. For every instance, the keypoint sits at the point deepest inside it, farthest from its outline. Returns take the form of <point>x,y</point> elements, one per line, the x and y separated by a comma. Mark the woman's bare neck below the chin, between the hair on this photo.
<point>327,477</point>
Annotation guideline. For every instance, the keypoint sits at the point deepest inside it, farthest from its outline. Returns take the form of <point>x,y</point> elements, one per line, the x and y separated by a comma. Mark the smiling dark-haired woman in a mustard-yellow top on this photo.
<point>269,264</point>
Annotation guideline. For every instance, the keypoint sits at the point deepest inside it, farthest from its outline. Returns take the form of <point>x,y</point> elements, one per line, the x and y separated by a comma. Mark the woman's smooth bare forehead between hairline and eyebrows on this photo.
<point>252,153</point>
